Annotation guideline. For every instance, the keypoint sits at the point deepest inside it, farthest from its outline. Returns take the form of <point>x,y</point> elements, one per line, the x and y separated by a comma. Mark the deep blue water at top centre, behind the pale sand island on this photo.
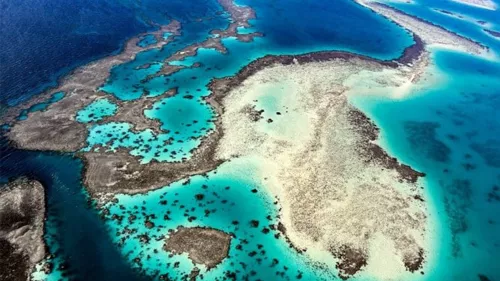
<point>292,26</point>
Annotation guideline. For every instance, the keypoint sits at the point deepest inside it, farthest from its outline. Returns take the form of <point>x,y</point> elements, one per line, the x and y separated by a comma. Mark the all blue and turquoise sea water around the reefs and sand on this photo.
<point>450,131</point>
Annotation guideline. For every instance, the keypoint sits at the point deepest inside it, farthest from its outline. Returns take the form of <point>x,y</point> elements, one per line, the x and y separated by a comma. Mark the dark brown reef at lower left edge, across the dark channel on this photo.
<point>22,214</point>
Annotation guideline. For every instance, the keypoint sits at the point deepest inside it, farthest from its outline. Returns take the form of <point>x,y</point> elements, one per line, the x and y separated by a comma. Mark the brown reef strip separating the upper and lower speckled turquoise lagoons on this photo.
<point>119,172</point>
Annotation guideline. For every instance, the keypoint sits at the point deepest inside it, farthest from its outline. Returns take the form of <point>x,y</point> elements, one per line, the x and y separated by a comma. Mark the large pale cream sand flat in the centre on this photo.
<point>315,153</point>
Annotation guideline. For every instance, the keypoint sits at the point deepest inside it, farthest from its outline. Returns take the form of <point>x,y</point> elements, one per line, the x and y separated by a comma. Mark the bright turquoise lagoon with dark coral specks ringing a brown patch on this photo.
<point>219,200</point>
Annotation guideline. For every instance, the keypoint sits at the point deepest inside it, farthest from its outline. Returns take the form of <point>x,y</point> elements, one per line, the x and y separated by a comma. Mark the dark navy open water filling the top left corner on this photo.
<point>43,40</point>
